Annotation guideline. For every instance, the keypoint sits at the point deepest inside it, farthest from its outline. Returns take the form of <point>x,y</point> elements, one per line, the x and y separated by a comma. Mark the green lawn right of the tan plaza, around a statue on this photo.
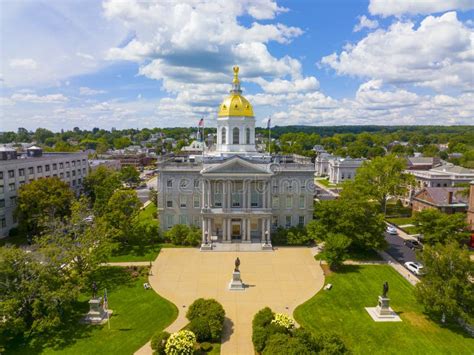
<point>341,310</point>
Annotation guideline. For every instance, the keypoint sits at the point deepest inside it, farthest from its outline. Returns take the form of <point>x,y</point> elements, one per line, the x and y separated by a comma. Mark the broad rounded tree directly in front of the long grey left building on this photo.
<point>40,199</point>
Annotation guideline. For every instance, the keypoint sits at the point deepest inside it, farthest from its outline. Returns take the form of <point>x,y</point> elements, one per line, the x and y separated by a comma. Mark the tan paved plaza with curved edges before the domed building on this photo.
<point>281,280</point>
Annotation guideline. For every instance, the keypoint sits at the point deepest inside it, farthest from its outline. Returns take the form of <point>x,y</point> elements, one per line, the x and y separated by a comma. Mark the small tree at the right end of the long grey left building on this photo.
<point>99,186</point>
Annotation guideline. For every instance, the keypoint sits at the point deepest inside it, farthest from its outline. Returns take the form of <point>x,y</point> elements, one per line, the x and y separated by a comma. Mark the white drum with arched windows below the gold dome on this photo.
<point>236,134</point>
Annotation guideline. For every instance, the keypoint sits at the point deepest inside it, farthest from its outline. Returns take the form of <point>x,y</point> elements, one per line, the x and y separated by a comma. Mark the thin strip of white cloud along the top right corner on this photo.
<point>412,7</point>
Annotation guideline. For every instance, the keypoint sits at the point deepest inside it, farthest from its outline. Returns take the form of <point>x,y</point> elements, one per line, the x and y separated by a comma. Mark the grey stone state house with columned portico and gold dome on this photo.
<point>233,192</point>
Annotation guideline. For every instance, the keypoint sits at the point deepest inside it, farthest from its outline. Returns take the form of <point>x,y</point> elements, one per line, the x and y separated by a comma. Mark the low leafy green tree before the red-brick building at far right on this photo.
<point>439,227</point>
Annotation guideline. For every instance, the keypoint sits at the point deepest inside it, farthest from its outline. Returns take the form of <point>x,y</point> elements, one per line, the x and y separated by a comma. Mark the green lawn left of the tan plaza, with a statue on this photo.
<point>138,313</point>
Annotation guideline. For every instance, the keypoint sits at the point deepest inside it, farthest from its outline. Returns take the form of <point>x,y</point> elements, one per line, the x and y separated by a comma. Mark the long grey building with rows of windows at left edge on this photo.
<point>18,170</point>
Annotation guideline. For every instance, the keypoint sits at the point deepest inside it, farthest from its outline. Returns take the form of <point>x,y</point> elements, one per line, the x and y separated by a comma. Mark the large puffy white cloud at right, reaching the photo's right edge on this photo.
<point>438,54</point>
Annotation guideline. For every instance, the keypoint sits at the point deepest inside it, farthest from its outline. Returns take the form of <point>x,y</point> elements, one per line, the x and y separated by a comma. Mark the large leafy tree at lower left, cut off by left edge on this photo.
<point>35,298</point>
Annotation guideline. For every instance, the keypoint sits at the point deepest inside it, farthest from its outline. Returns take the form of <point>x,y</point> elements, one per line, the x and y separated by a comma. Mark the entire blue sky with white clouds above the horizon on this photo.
<point>125,64</point>
